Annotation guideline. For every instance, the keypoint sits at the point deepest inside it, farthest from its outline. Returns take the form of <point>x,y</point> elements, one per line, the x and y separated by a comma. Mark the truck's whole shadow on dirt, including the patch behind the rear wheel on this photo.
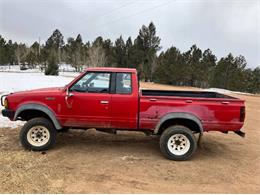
<point>134,143</point>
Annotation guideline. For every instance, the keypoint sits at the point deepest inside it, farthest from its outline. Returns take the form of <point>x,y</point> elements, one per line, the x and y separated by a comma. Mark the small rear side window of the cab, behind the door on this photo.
<point>123,83</point>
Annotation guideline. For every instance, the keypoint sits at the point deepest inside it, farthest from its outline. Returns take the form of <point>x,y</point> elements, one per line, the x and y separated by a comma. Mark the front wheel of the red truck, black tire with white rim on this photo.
<point>38,134</point>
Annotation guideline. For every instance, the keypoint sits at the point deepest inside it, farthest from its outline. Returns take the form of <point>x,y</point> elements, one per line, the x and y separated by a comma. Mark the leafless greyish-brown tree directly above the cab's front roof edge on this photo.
<point>96,56</point>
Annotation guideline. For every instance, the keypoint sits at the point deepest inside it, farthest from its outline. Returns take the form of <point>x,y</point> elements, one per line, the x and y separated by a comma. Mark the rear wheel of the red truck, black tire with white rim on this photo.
<point>185,142</point>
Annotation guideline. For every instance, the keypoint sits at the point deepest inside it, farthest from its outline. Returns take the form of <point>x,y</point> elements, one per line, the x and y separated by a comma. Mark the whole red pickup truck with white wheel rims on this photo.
<point>109,99</point>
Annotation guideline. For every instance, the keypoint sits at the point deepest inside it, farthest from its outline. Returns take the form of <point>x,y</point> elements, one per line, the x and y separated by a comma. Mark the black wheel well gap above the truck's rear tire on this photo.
<point>192,125</point>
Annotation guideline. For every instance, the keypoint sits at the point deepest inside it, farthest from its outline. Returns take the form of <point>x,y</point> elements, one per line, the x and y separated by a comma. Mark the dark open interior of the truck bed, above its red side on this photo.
<point>192,94</point>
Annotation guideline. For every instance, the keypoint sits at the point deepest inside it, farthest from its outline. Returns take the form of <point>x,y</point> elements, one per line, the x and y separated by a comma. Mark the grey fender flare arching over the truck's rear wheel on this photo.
<point>179,115</point>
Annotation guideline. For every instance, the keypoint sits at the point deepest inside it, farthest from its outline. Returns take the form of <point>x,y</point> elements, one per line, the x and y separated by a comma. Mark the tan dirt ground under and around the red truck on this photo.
<point>95,162</point>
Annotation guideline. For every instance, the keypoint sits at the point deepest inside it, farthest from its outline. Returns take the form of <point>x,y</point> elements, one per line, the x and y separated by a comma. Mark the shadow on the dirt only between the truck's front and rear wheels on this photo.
<point>91,138</point>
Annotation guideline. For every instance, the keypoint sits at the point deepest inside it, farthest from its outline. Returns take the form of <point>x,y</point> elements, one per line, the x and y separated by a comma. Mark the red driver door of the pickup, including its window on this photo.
<point>88,103</point>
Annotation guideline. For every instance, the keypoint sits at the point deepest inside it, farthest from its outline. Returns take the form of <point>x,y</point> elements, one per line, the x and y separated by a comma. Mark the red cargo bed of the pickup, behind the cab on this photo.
<point>217,112</point>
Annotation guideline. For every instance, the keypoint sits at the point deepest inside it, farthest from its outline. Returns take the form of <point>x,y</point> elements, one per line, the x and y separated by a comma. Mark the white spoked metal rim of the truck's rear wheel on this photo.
<point>178,144</point>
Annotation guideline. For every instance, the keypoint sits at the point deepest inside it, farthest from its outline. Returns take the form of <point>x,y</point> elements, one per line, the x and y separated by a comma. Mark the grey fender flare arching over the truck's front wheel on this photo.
<point>41,108</point>
